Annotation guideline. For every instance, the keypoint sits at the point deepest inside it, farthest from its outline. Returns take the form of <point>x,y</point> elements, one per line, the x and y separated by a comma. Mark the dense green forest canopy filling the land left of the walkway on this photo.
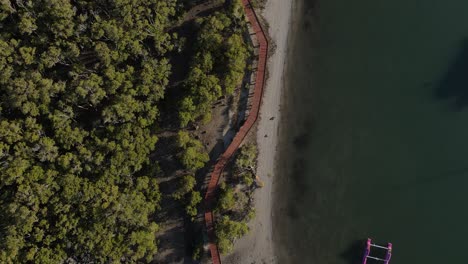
<point>81,89</point>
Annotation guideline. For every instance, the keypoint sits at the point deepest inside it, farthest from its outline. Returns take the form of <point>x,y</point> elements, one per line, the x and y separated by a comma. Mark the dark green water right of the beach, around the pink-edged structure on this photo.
<point>377,138</point>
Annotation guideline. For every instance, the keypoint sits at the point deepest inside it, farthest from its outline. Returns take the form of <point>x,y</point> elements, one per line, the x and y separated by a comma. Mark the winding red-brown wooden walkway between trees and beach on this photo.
<point>239,137</point>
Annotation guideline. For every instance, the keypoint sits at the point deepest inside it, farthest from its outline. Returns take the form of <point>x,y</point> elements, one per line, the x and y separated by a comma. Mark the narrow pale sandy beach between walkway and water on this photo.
<point>257,246</point>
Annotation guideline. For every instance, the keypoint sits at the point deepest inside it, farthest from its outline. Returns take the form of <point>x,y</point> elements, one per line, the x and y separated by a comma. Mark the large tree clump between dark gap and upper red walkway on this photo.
<point>218,64</point>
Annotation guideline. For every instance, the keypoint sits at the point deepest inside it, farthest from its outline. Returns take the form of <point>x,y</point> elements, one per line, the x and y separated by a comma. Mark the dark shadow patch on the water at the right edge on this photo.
<point>454,85</point>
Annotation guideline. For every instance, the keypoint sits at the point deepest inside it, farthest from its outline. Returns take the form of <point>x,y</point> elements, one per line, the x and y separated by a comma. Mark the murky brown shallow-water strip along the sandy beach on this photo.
<point>295,130</point>
